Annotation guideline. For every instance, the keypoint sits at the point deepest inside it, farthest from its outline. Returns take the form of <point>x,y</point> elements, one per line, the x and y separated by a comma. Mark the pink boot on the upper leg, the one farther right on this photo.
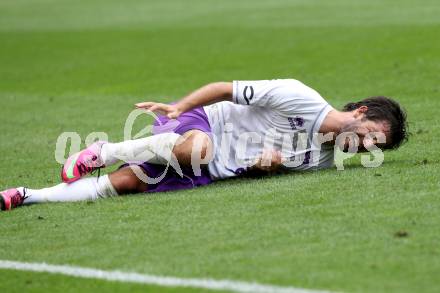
<point>83,163</point>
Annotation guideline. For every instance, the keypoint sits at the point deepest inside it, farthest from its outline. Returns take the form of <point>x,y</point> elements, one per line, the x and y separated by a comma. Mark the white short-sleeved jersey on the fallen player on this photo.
<point>282,114</point>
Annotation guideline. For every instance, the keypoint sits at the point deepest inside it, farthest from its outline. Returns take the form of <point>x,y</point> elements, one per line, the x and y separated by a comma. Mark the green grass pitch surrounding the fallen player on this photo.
<point>81,65</point>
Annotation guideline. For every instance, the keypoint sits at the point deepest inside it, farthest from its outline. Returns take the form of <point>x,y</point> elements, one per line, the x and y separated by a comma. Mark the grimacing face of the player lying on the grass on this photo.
<point>362,127</point>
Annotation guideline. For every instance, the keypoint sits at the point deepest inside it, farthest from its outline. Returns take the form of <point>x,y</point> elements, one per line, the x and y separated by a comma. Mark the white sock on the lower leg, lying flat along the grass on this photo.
<point>83,189</point>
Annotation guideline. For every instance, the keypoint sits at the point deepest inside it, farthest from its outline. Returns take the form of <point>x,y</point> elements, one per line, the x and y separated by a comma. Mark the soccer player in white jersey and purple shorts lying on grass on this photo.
<point>209,128</point>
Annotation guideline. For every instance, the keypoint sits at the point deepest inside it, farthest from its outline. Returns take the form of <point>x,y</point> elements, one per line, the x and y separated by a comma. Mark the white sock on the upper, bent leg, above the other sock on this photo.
<point>156,149</point>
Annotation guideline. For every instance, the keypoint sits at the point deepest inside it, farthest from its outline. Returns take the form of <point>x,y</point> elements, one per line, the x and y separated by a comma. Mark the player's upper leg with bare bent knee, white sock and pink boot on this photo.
<point>194,147</point>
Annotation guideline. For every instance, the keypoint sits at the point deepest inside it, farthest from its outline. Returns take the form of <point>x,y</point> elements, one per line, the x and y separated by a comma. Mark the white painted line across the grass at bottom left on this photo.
<point>90,273</point>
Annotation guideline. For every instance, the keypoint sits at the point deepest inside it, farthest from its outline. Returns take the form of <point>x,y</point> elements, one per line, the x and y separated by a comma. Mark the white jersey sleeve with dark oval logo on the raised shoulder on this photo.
<point>284,95</point>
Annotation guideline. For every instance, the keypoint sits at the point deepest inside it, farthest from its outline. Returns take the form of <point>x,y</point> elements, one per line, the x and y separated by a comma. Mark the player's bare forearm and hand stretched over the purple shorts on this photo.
<point>206,95</point>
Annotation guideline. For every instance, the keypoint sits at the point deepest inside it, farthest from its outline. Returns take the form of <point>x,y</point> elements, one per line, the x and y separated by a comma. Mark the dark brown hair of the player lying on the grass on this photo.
<point>385,109</point>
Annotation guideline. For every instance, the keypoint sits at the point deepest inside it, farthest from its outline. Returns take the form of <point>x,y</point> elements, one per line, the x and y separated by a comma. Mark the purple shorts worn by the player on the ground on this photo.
<point>194,119</point>
